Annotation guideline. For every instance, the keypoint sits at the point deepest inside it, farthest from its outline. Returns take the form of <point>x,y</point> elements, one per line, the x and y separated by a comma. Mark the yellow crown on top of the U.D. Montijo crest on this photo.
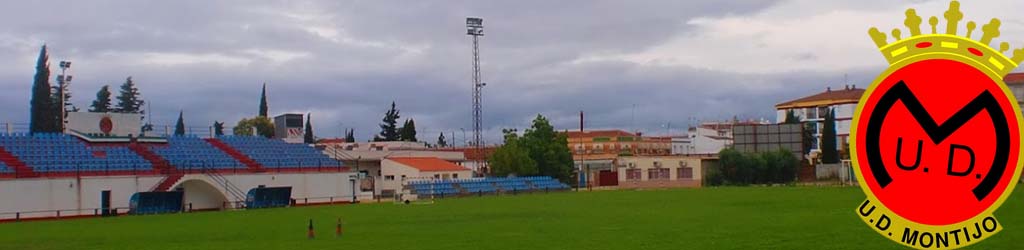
<point>950,43</point>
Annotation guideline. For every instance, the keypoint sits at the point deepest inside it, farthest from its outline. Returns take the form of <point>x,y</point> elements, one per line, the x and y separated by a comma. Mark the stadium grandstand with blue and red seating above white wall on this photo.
<point>97,171</point>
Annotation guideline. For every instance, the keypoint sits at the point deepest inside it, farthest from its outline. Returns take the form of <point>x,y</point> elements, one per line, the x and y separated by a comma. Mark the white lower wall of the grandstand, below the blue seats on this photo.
<point>41,197</point>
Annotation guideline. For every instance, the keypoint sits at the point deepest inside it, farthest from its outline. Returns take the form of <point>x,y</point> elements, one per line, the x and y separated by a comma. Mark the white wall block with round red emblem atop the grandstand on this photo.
<point>120,124</point>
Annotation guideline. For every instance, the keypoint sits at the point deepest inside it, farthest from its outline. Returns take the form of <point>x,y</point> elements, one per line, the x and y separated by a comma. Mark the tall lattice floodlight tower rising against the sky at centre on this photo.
<point>475,28</point>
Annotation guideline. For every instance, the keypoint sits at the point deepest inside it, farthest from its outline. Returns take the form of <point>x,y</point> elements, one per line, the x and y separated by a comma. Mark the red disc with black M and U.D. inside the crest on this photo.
<point>937,142</point>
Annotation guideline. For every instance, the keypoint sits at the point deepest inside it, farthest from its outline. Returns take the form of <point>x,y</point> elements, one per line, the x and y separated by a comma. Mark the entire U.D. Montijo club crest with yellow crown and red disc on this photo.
<point>937,137</point>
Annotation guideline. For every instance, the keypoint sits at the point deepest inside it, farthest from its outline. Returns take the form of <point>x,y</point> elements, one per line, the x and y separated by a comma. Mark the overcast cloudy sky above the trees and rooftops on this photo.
<point>635,65</point>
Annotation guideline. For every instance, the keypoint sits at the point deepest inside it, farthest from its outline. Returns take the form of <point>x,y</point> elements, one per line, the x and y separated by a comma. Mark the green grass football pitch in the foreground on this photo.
<point>706,219</point>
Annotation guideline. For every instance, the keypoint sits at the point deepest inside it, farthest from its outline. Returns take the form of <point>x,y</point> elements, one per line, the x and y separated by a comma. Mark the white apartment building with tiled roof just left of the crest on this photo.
<point>814,108</point>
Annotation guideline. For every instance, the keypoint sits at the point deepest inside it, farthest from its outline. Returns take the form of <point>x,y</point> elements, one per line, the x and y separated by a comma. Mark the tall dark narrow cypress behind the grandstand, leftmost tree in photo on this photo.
<point>41,106</point>
